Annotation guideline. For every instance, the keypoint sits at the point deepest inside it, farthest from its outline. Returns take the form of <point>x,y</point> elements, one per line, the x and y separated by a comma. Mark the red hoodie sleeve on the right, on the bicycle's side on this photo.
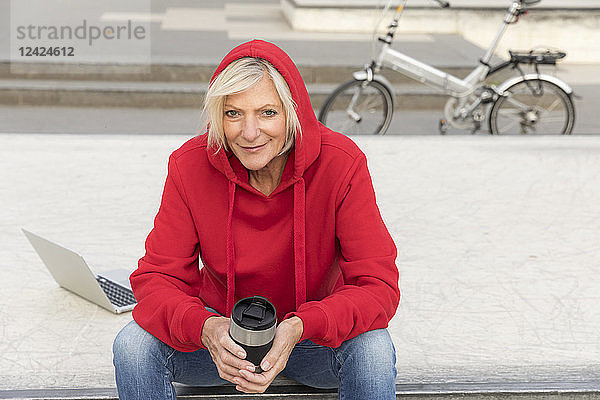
<point>370,294</point>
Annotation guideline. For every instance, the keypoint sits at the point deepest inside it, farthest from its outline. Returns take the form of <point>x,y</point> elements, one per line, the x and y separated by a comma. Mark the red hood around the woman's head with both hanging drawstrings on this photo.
<point>305,151</point>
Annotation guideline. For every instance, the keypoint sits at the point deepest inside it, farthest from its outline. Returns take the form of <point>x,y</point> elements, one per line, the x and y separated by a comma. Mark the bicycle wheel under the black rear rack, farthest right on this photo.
<point>533,106</point>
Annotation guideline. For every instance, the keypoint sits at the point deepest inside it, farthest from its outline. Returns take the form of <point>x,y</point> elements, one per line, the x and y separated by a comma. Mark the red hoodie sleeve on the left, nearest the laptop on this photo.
<point>166,282</point>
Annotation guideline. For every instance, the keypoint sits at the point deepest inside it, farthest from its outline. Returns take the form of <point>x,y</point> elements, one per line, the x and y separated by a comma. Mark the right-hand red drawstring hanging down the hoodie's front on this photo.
<point>299,242</point>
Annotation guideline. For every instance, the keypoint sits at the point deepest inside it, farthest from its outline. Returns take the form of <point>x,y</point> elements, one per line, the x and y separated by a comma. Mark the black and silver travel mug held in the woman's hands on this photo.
<point>253,324</point>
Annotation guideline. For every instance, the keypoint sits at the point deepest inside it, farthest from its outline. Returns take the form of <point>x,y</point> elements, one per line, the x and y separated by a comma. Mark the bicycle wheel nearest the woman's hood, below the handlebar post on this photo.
<point>358,108</point>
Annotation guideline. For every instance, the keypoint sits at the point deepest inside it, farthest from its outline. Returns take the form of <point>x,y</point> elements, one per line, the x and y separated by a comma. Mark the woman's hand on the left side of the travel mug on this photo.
<point>226,354</point>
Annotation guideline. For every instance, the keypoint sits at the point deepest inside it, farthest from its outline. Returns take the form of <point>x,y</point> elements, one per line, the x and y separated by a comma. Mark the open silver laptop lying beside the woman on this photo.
<point>71,272</point>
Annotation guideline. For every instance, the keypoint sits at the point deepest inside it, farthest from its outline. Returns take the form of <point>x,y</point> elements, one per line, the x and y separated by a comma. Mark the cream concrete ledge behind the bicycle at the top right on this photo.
<point>566,28</point>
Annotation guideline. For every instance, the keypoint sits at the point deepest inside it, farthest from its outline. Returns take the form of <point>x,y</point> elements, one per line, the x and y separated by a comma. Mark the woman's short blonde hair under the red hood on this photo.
<point>238,76</point>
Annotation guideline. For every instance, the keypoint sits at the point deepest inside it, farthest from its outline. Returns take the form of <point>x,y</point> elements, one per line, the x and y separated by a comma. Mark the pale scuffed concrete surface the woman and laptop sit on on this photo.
<point>498,241</point>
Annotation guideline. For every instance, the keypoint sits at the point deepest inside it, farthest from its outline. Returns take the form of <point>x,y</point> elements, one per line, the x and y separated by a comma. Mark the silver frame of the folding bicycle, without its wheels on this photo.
<point>432,76</point>
